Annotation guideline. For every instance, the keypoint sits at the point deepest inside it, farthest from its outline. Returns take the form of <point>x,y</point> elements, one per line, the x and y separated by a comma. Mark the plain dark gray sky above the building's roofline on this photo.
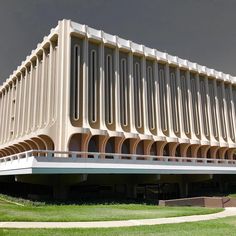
<point>203,31</point>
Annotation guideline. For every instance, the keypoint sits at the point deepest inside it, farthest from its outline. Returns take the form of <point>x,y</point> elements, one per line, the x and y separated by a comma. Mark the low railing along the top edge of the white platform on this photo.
<point>128,158</point>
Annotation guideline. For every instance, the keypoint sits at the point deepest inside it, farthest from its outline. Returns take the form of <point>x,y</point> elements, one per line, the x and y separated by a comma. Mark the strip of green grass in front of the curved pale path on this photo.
<point>219,227</point>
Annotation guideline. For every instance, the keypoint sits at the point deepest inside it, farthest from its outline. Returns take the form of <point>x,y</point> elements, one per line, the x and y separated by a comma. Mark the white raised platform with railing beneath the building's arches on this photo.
<point>55,162</point>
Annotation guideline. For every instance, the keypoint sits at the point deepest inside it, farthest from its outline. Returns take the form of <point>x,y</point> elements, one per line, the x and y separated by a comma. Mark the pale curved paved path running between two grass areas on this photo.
<point>231,211</point>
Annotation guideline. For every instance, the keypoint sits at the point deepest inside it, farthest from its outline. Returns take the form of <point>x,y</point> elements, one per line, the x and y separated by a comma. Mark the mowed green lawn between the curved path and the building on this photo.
<point>97,212</point>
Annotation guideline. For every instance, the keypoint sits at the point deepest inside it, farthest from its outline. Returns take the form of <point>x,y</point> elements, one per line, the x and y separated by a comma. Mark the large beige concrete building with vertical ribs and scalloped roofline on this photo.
<point>89,103</point>
